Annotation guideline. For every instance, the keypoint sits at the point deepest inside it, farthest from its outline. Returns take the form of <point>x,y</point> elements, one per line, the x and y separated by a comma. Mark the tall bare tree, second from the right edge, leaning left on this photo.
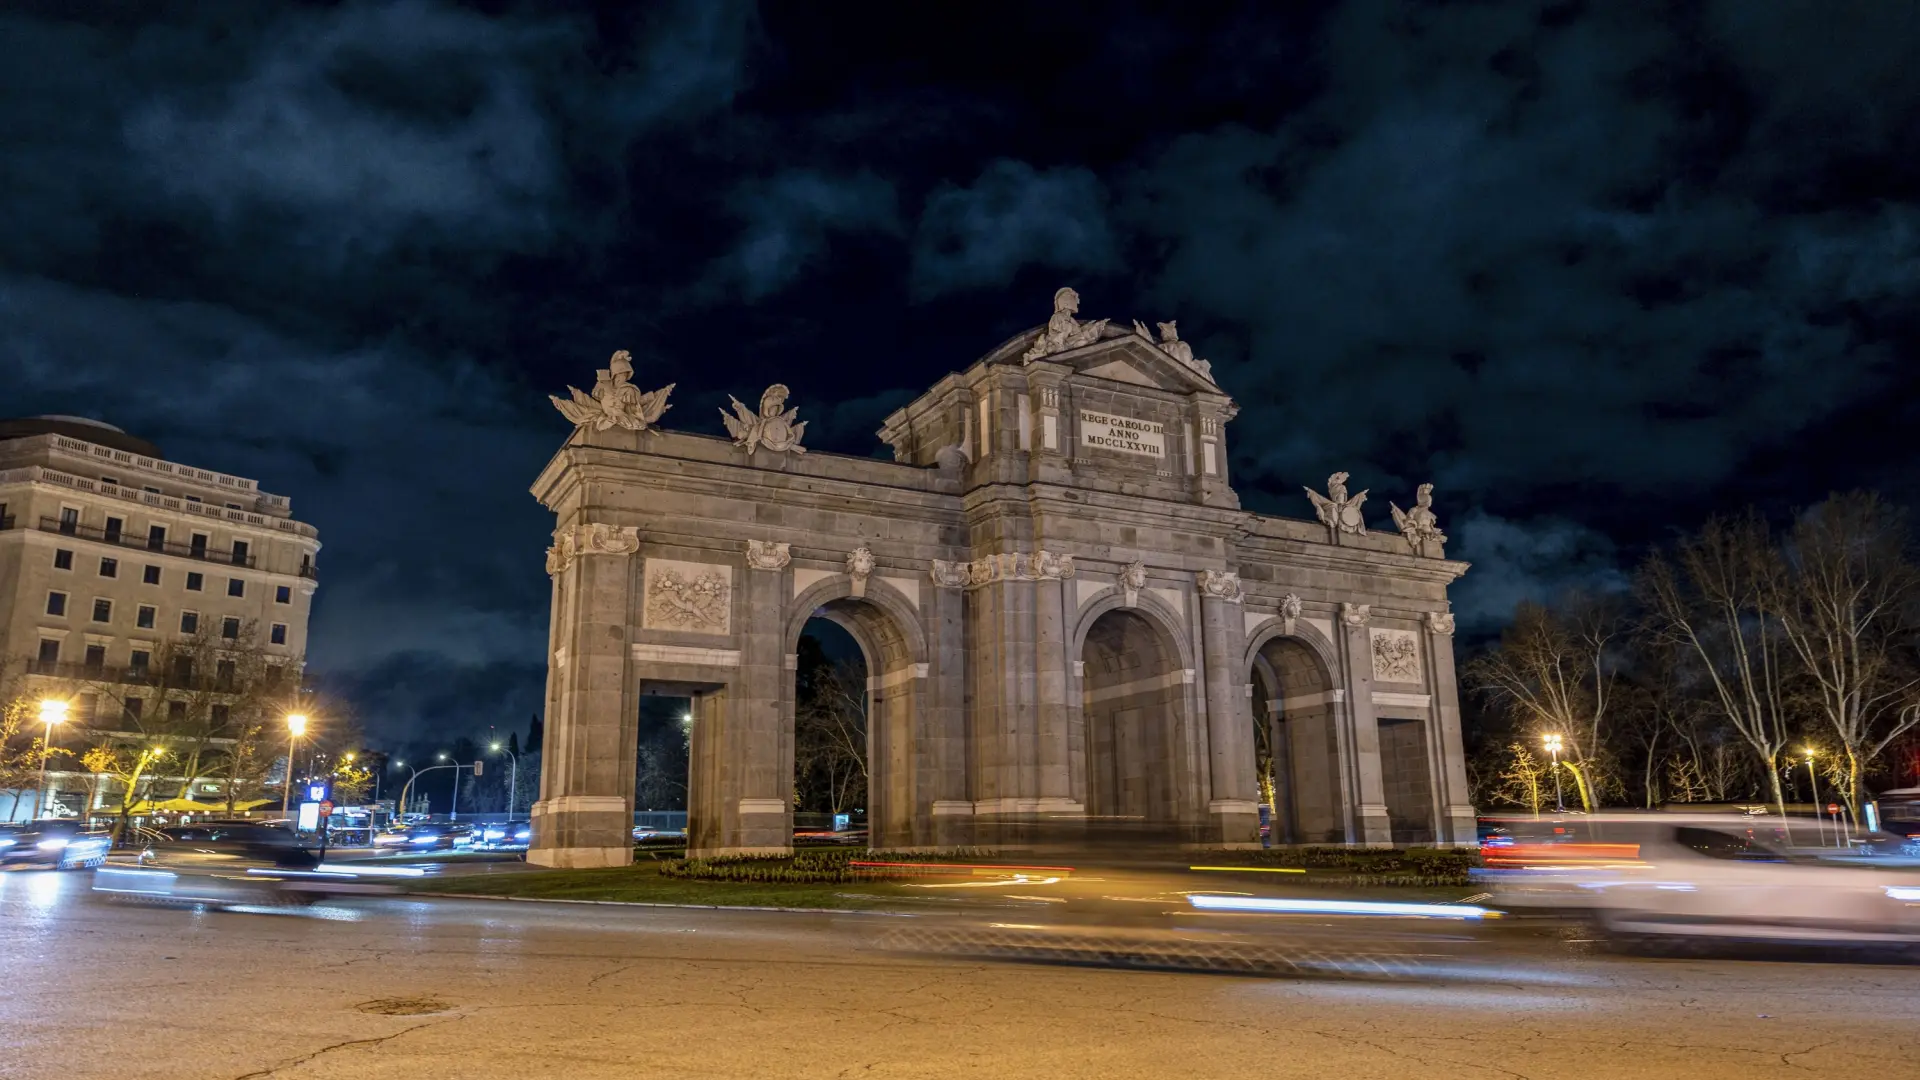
<point>1719,601</point>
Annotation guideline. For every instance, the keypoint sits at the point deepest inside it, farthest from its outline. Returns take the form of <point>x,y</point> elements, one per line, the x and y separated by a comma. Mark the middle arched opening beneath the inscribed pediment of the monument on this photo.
<point>1134,745</point>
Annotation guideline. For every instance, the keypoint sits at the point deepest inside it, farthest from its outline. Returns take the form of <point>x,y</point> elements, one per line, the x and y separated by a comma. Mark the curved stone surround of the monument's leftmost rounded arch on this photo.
<point>882,622</point>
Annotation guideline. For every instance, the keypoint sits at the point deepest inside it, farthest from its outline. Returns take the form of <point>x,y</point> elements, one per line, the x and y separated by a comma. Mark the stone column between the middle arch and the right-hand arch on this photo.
<point>1234,806</point>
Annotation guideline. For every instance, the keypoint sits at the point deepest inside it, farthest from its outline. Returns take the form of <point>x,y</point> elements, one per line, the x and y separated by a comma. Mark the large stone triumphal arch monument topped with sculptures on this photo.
<point>1065,614</point>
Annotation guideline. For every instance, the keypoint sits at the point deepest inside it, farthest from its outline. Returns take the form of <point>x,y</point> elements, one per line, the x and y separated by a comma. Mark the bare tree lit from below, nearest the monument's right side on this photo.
<point>1556,674</point>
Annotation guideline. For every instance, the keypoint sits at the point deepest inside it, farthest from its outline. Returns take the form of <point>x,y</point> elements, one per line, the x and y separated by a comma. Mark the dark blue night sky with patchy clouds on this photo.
<point>1595,270</point>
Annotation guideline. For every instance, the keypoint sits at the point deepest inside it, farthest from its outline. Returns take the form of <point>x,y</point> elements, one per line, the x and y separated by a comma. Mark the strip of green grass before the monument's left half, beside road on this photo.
<point>642,883</point>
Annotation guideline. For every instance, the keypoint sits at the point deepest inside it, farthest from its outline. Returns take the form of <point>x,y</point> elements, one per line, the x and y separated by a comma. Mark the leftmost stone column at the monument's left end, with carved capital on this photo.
<point>587,814</point>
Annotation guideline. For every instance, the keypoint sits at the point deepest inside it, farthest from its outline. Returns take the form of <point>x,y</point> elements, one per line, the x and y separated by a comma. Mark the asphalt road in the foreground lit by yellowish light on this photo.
<point>450,989</point>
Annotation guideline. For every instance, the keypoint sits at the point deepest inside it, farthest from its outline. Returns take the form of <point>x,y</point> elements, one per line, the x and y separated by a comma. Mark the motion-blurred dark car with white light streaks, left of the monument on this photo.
<point>235,864</point>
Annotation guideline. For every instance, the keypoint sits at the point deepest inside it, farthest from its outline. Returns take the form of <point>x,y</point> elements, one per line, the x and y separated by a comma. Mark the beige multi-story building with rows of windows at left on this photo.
<point>114,560</point>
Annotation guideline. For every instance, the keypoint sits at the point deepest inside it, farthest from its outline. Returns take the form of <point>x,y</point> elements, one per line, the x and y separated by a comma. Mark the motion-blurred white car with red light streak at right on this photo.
<point>1694,881</point>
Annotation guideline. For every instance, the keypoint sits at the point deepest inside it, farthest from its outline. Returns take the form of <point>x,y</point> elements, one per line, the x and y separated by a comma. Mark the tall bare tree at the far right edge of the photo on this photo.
<point>1848,608</point>
